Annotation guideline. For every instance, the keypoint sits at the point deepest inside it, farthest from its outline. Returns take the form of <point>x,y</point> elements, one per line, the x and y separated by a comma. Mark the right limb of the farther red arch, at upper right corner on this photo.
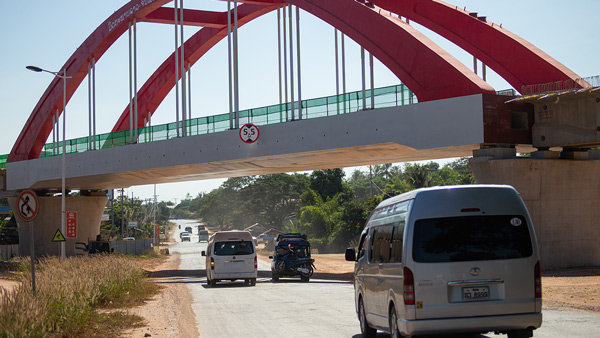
<point>516,60</point>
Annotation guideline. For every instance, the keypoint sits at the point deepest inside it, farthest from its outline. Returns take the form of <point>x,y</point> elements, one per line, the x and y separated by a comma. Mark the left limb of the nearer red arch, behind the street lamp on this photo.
<point>30,142</point>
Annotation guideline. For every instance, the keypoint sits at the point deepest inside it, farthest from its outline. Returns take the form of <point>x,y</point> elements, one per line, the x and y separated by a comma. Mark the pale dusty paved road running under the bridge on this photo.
<point>321,308</point>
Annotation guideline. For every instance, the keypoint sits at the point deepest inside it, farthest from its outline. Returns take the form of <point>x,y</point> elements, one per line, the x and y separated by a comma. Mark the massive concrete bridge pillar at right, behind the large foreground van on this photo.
<point>563,198</point>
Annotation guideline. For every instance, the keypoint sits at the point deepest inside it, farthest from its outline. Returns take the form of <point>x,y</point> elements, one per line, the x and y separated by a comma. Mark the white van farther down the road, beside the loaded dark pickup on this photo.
<point>231,255</point>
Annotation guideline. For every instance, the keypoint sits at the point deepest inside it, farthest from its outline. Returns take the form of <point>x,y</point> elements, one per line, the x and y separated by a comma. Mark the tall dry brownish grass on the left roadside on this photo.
<point>81,297</point>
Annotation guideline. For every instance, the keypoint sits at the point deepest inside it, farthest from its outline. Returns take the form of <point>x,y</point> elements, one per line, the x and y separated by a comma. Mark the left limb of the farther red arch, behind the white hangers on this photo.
<point>162,81</point>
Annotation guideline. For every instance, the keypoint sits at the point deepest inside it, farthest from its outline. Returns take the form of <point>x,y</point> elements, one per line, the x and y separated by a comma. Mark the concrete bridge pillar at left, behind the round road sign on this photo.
<point>89,213</point>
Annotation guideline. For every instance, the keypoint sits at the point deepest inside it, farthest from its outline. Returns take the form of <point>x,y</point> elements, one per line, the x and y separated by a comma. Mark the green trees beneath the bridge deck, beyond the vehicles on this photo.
<point>328,207</point>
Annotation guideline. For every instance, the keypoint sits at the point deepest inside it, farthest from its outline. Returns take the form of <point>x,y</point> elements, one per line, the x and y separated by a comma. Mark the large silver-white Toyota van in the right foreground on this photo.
<point>450,259</point>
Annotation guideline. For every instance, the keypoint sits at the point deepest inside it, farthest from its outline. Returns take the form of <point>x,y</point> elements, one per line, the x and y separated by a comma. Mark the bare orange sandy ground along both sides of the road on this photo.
<point>169,313</point>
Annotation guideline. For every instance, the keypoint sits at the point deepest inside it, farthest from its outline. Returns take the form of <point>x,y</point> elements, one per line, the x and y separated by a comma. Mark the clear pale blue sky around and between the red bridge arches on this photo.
<point>45,34</point>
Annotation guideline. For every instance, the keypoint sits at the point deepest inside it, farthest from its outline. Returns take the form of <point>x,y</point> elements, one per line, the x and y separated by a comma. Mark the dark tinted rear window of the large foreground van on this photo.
<point>473,238</point>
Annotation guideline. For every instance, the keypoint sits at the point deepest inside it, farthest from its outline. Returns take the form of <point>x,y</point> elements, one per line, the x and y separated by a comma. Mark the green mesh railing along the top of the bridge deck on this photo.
<point>391,96</point>
